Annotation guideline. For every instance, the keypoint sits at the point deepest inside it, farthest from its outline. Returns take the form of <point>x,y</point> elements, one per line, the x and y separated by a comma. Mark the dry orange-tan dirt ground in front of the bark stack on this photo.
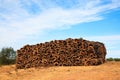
<point>106,71</point>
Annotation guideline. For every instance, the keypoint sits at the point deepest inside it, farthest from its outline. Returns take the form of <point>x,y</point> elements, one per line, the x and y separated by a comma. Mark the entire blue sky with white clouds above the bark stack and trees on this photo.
<point>34,21</point>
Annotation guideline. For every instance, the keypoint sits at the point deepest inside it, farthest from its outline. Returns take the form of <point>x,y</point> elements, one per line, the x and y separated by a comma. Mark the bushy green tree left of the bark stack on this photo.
<point>7,56</point>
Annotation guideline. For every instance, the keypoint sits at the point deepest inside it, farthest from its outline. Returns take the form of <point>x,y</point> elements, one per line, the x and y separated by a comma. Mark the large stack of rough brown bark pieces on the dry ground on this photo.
<point>69,52</point>
